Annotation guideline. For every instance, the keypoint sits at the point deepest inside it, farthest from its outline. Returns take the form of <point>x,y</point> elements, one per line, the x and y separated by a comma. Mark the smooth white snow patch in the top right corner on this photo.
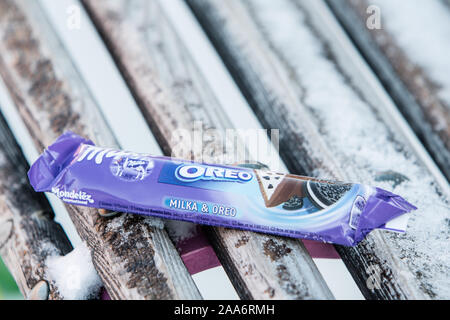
<point>422,29</point>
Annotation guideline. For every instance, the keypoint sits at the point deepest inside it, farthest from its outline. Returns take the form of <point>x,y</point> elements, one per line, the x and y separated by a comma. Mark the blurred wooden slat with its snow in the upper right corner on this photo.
<point>410,59</point>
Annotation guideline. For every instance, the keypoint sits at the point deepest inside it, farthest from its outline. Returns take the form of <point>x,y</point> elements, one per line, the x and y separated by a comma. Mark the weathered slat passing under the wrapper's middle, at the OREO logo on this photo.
<point>173,95</point>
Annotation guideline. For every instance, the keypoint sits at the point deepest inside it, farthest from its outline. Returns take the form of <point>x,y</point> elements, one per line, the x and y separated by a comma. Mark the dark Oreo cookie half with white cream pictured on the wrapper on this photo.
<point>325,194</point>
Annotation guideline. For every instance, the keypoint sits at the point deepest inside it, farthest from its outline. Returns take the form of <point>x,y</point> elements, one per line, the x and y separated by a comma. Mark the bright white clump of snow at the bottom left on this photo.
<point>74,274</point>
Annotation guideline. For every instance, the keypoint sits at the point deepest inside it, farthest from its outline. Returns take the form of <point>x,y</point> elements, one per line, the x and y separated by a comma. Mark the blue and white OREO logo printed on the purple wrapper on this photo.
<point>194,172</point>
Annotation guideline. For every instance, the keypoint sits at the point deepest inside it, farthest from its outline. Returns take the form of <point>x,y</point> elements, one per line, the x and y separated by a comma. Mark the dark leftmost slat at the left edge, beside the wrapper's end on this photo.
<point>28,233</point>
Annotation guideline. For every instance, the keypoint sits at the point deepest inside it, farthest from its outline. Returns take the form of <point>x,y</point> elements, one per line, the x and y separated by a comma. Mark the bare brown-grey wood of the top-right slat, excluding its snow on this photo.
<point>414,91</point>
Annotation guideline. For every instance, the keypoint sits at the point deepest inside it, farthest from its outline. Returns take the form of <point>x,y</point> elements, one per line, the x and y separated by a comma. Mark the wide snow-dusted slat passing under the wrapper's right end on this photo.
<point>301,75</point>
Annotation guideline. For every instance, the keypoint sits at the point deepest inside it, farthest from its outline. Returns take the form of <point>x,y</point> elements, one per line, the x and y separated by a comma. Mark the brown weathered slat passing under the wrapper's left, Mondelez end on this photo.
<point>132,254</point>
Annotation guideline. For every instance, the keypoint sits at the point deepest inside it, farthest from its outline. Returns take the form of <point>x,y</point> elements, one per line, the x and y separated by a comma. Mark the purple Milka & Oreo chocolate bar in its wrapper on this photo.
<point>236,197</point>
